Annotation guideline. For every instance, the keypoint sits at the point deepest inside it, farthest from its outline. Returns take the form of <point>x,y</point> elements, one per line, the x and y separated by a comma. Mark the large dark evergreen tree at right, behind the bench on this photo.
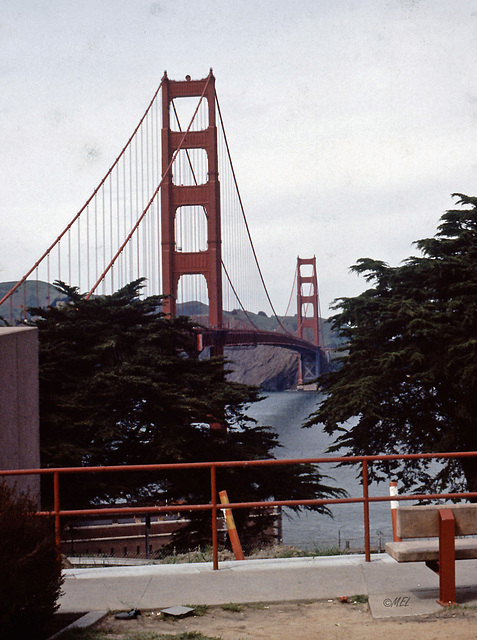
<point>408,380</point>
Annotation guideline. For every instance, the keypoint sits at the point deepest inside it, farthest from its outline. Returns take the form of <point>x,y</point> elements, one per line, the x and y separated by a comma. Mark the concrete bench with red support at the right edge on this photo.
<point>443,523</point>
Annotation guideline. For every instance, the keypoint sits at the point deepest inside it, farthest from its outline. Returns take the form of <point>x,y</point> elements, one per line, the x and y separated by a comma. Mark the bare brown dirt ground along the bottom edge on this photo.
<point>302,621</point>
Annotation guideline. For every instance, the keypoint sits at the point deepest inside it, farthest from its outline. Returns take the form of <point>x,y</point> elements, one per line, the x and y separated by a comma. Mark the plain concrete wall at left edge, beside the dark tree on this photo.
<point>19,405</point>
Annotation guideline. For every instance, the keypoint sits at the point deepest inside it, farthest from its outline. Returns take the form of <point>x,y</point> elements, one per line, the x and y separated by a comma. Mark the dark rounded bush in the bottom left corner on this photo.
<point>30,567</point>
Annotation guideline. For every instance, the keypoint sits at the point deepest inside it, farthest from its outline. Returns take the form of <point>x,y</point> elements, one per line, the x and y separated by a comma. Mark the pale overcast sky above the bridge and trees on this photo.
<point>350,122</point>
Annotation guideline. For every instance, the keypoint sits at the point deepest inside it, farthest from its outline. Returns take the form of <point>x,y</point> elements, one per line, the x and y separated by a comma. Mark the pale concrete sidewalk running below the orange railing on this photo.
<point>394,589</point>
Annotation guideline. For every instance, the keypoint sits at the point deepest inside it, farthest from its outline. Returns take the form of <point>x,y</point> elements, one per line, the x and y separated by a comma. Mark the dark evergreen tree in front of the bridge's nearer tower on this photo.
<point>120,383</point>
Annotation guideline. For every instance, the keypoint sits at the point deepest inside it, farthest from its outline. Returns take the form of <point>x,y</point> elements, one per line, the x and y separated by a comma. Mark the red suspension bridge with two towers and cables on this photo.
<point>162,213</point>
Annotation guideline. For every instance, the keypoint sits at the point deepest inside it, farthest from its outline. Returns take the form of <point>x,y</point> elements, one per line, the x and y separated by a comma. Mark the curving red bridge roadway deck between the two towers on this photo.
<point>248,337</point>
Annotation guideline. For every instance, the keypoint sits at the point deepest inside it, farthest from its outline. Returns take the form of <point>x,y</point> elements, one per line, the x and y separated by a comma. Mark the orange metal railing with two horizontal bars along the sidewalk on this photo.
<point>213,506</point>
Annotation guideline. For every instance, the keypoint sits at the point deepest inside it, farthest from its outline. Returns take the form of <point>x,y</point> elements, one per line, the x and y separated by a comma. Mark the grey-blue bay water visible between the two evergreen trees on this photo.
<point>285,412</point>
